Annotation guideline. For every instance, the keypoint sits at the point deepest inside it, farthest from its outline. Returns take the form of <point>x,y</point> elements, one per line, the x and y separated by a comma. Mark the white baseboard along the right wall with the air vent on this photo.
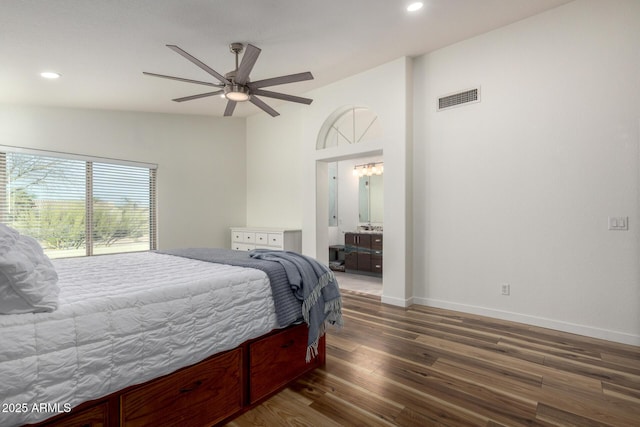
<point>573,328</point>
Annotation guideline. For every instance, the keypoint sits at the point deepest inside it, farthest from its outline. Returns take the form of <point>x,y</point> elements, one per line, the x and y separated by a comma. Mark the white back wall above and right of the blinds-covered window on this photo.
<point>201,161</point>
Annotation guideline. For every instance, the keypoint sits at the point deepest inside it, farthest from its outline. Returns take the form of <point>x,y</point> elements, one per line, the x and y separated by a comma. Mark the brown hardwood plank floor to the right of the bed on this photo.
<point>424,366</point>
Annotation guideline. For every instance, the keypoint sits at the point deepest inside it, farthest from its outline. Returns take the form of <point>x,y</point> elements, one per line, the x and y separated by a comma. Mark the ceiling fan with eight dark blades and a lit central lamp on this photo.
<point>236,85</point>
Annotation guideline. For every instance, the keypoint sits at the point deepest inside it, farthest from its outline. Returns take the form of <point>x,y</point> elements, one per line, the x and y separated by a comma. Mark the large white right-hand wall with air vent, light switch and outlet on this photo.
<point>518,188</point>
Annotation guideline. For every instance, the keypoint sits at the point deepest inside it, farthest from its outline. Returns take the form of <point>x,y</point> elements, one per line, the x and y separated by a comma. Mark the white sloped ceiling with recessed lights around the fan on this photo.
<point>101,47</point>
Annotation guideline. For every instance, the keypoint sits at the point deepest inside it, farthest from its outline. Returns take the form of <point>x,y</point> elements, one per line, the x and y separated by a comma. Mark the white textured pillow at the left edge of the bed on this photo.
<point>28,280</point>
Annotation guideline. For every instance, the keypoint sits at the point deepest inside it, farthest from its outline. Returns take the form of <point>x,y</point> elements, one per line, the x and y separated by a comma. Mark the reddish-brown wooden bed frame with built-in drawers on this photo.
<point>208,393</point>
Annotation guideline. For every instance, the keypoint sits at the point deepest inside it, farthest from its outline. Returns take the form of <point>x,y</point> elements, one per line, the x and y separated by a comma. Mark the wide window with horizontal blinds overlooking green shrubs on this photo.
<point>76,206</point>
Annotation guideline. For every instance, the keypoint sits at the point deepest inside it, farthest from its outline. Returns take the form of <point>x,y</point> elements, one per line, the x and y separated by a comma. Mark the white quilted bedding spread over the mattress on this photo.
<point>122,320</point>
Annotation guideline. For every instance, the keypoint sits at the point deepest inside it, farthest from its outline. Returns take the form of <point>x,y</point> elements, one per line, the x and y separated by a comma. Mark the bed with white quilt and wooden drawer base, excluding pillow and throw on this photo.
<point>147,337</point>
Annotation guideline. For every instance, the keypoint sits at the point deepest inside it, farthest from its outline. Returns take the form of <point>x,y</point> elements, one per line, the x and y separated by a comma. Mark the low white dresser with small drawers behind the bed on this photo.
<point>248,238</point>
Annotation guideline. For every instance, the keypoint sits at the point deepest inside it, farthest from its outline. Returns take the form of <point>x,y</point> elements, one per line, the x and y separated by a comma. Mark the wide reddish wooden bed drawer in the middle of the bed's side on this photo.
<point>200,395</point>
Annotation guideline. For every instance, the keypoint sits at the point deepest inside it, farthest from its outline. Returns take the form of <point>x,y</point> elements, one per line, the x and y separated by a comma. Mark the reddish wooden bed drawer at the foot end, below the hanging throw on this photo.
<point>276,359</point>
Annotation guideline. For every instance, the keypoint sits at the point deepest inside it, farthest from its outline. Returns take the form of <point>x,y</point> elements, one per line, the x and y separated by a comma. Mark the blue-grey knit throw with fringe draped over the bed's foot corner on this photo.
<point>313,284</point>
